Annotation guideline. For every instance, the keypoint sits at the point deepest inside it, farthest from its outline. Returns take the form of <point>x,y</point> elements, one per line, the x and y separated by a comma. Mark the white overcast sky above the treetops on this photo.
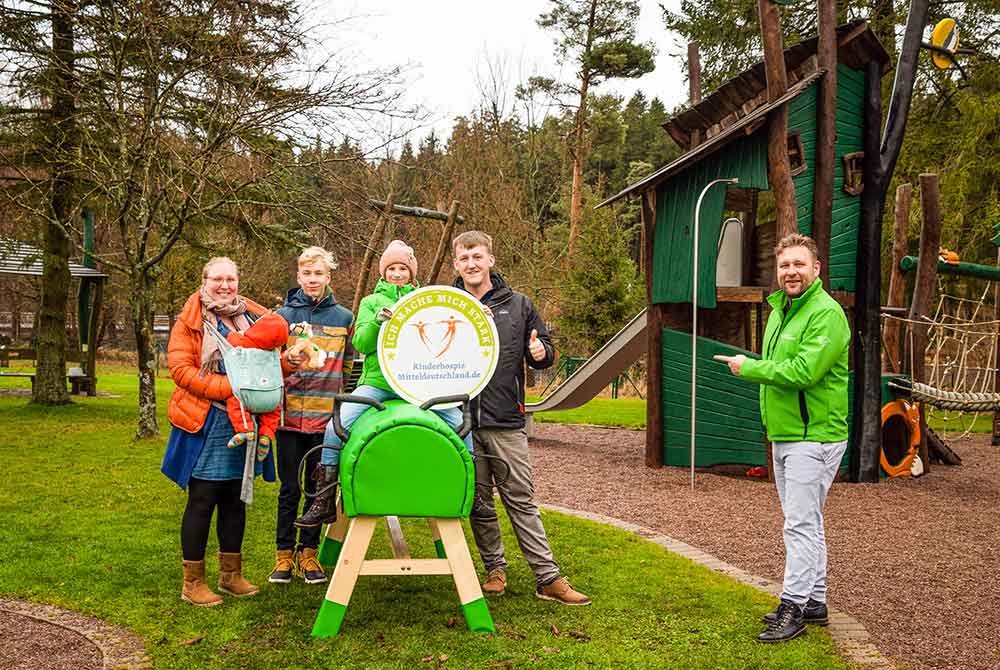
<point>448,43</point>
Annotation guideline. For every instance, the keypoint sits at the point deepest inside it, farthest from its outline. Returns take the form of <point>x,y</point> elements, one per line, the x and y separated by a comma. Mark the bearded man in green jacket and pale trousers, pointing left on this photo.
<point>803,404</point>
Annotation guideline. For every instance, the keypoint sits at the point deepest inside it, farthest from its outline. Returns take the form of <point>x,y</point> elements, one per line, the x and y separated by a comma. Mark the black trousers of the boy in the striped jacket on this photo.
<point>292,446</point>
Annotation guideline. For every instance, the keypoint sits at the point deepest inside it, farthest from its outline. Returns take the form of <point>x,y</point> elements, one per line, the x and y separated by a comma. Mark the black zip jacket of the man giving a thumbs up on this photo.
<point>501,404</point>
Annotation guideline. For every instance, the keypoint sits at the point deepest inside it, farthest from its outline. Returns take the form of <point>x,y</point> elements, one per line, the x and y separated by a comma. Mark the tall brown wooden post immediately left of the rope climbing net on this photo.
<point>923,291</point>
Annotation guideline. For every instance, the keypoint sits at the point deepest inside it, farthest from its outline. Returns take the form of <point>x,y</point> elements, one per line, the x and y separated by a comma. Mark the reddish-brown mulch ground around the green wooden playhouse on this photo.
<point>913,559</point>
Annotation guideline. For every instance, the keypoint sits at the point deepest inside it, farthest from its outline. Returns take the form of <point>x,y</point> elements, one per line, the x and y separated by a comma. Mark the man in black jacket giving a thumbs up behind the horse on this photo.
<point>498,422</point>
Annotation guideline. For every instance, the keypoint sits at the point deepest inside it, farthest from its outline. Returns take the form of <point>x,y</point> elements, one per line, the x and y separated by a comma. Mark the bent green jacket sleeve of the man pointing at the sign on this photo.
<point>822,343</point>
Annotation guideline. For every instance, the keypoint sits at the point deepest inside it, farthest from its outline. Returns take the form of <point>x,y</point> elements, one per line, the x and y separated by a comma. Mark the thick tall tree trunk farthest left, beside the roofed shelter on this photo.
<point>50,377</point>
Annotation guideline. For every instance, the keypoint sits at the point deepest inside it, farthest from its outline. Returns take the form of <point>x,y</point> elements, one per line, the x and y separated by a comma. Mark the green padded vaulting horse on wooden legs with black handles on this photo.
<point>401,460</point>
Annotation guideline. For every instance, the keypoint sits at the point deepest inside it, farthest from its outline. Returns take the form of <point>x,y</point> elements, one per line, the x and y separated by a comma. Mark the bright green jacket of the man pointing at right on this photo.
<point>803,371</point>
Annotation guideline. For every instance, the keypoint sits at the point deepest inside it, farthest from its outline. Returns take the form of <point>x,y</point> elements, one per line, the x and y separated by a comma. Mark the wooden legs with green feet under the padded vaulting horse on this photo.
<point>346,544</point>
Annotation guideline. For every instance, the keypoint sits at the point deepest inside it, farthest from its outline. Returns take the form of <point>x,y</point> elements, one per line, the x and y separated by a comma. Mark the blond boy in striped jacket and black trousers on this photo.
<point>308,406</point>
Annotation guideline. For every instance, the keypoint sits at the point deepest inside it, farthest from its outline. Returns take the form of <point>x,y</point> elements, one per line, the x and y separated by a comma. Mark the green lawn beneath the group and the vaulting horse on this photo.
<point>91,525</point>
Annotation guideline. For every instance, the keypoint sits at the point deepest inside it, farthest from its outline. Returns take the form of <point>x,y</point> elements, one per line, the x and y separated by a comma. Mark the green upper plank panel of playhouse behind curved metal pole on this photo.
<point>676,198</point>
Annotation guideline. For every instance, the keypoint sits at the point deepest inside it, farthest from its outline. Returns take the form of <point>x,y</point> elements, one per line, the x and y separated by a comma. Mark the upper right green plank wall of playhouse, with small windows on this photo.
<point>846,207</point>
